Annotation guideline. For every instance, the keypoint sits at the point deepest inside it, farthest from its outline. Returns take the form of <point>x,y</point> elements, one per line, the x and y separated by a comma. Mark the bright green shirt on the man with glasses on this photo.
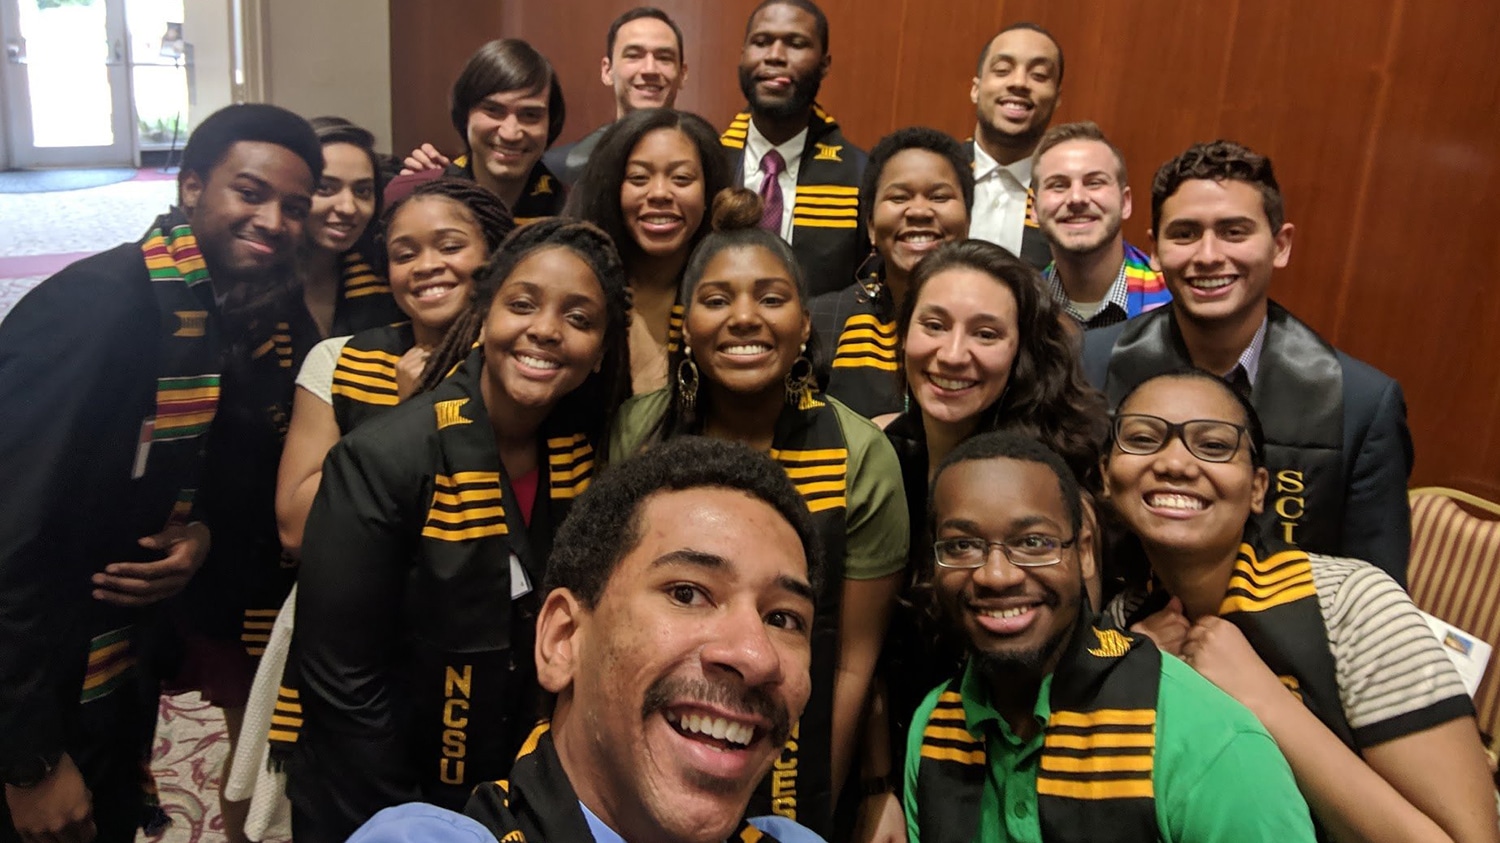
<point>1219,776</point>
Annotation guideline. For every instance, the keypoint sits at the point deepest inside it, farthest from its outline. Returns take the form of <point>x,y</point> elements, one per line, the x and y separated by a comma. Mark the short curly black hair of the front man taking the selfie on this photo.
<point>605,524</point>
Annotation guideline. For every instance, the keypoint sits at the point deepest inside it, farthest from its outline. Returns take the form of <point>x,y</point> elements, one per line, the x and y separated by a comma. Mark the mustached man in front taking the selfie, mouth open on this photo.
<point>677,637</point>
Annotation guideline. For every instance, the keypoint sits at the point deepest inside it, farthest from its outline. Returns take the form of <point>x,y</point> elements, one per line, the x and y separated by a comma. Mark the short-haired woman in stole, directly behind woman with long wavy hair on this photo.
<point>916,197</point>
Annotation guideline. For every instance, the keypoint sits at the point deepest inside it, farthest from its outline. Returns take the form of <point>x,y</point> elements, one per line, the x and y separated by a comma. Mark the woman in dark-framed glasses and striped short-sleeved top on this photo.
<point>1328,653</point>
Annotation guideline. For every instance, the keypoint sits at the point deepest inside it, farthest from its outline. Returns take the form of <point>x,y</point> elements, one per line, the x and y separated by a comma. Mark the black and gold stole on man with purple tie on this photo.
<point>826,215</point>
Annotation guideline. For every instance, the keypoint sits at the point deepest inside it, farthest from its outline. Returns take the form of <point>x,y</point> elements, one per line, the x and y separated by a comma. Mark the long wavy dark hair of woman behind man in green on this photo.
<point>1046,395</point>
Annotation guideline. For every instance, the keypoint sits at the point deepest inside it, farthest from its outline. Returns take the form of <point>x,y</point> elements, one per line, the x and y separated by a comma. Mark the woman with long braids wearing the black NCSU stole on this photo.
<point>430,536</point>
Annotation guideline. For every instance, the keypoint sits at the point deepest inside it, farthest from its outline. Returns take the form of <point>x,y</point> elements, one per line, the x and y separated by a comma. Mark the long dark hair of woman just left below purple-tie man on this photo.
<point>596,196</point>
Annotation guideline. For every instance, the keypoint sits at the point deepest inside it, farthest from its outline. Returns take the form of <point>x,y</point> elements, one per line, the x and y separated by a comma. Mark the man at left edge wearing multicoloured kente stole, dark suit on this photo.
<point>110,379</point>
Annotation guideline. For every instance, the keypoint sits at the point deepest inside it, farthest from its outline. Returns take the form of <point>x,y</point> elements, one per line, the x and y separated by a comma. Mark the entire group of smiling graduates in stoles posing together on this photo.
<point>1030,458</point>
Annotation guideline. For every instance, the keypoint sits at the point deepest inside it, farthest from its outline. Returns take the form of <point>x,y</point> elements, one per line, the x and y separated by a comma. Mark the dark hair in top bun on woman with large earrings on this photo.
<point>736,226</point>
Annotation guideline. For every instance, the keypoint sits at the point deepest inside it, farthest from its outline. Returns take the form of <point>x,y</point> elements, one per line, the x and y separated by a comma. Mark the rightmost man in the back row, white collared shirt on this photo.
<point>1015,92</point>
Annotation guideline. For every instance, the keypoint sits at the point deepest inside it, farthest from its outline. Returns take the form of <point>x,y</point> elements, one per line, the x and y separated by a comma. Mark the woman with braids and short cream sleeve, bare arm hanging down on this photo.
<point>436,241</point>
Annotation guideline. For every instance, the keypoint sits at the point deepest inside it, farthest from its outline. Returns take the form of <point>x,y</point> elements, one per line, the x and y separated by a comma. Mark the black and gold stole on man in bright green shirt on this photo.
<point>1094,779</point>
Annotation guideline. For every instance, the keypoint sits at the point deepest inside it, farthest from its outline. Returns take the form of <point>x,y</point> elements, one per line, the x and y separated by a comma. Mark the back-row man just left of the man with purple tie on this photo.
<point>643,67</point>
